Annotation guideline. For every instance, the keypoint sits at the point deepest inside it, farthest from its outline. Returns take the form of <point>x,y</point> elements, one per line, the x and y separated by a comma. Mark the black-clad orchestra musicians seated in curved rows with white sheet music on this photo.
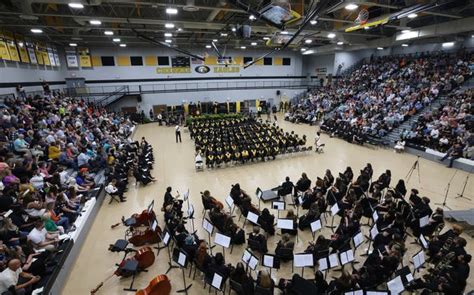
<point>397,216</point>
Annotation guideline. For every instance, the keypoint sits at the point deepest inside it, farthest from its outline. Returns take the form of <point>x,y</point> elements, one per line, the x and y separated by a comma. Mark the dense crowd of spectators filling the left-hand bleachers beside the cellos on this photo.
<point>54,154</point>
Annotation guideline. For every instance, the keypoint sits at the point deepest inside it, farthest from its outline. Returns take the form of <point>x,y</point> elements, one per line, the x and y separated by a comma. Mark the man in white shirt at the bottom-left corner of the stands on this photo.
<point>13,277</point>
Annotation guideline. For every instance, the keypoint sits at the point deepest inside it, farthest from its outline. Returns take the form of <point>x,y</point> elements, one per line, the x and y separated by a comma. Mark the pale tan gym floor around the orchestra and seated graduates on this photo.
<point>174,166</point>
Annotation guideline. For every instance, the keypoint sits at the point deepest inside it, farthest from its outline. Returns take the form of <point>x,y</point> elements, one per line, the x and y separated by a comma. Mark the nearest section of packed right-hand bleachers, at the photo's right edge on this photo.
<point>451,123</point>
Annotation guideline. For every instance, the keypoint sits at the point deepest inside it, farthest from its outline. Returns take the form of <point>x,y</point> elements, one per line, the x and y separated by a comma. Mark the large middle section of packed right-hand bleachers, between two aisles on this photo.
<point>389,90</point>
